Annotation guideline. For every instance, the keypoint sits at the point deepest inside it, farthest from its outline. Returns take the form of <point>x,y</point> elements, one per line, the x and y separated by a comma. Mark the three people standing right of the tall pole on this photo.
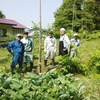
<point>66,46</point>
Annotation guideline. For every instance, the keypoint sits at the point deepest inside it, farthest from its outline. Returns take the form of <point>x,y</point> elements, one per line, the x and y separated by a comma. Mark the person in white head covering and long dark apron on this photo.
<point>64,43</point>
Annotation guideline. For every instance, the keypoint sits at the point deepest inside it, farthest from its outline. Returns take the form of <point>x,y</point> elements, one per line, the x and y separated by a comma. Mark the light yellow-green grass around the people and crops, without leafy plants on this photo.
<point>91,81</point>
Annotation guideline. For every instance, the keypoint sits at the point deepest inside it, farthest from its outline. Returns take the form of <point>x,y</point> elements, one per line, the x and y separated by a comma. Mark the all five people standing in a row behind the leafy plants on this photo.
<point>21,49</point>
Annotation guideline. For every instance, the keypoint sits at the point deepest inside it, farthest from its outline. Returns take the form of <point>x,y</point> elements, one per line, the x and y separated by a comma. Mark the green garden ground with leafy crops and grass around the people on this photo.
<point>70,79</point>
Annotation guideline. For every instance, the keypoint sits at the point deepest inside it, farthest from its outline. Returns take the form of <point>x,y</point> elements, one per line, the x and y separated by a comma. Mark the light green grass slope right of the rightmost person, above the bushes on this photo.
<point>87,49</point>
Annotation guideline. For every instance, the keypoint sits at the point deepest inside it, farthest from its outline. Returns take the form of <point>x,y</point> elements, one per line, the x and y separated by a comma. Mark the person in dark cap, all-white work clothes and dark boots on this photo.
<point>49,48</point>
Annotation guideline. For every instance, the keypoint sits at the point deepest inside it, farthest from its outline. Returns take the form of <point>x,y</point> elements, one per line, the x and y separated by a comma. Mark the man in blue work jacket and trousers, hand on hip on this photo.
<point>16,48</point>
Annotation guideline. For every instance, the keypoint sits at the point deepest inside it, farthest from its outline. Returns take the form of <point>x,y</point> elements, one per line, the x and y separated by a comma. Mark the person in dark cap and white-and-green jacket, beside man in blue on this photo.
<point>28,46</point>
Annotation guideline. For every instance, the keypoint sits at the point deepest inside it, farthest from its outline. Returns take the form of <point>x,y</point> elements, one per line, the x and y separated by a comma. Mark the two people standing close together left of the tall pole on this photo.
<point>21,49</point>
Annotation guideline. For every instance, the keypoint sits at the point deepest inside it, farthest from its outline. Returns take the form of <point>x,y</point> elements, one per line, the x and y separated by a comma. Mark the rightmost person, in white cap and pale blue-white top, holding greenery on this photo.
<point>74,45</point>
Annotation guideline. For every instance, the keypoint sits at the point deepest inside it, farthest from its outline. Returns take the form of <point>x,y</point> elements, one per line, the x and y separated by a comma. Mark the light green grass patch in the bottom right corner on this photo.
<point>91,83</point>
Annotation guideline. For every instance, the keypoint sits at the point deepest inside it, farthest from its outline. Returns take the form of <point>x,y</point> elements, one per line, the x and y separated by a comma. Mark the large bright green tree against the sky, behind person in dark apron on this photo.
<point>69,15</point>
